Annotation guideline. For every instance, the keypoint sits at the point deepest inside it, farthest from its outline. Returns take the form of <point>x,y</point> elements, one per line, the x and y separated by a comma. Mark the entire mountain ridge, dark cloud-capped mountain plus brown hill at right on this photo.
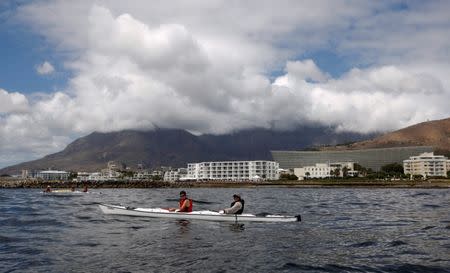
<point>176,147</point>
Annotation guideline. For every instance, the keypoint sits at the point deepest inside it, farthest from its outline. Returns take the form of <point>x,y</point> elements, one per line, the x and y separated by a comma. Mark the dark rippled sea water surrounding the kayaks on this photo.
<point>342,230</point>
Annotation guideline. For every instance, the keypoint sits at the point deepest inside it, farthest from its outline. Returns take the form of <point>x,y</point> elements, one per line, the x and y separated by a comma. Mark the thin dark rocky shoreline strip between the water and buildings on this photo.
<point>30,183</point>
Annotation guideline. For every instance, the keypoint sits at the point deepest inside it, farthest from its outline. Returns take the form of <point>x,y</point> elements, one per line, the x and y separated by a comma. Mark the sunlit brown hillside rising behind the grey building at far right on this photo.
<point>431,133</point>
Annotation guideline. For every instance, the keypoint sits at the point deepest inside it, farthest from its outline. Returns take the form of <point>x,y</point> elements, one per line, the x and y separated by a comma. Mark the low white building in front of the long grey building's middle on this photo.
<point>324,170</point>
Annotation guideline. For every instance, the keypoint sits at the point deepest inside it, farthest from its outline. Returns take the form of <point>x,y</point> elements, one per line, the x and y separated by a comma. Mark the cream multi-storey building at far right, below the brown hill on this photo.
<point>427,164</point>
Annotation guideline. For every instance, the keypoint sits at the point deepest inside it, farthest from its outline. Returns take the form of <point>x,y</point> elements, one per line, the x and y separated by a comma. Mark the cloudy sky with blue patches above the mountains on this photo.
<point>68,68</point>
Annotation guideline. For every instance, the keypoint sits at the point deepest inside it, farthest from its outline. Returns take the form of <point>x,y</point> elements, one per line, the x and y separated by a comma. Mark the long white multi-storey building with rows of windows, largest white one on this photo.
<point>233,170</point>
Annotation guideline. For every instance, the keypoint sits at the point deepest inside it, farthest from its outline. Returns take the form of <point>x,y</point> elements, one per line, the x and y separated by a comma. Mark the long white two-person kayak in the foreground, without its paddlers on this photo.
<point>195,215</point>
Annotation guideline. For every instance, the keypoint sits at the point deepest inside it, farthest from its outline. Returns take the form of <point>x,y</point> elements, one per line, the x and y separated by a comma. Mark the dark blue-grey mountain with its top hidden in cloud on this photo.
<point>176,148</point>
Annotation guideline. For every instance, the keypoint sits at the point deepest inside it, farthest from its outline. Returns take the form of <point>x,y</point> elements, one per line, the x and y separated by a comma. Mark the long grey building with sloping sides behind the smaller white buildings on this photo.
<point>368,158</point>
